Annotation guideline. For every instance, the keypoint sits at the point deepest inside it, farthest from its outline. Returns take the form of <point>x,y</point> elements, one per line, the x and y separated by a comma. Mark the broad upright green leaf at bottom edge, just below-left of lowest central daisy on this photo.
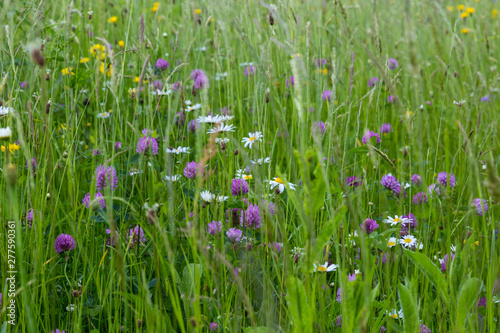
<point>298,305</point>
